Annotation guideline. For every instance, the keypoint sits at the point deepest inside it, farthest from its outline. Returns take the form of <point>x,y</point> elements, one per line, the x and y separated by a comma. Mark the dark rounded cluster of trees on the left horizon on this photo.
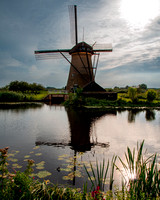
<point>24,87</point>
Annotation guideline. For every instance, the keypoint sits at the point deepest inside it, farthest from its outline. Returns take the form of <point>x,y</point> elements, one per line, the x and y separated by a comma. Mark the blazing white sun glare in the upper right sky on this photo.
<point>139,13</point>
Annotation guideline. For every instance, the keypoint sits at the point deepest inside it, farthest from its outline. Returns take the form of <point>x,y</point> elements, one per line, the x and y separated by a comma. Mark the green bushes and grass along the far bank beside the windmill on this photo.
<point>129,97</point>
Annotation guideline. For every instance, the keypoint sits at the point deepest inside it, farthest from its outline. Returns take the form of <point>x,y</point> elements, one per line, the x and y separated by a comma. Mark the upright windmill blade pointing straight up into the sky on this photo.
<point>73,24</point>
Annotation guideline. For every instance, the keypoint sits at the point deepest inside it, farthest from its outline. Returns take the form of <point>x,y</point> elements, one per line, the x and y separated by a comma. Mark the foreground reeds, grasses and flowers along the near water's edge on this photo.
<point>141,180</point>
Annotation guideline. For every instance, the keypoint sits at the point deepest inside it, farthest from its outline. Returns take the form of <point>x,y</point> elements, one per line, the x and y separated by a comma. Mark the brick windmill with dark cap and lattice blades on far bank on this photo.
<point>82,67</point>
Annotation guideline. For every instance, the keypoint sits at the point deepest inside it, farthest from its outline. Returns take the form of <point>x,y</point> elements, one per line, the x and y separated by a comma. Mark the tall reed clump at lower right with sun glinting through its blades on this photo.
<point>142,174</point>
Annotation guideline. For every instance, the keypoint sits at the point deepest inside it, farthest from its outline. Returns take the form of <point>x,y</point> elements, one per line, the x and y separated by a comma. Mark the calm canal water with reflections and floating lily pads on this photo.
<point>62,140</point>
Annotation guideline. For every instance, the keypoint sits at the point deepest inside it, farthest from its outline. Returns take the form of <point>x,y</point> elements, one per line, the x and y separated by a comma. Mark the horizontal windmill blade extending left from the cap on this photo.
<point>51,54</point>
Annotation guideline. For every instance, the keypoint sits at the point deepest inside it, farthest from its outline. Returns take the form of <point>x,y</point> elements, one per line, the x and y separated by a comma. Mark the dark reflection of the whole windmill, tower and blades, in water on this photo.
<point>80,133</point>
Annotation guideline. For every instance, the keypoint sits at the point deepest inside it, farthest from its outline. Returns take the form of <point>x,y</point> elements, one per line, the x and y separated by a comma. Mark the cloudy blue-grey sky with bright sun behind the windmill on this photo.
<point>131,26</point>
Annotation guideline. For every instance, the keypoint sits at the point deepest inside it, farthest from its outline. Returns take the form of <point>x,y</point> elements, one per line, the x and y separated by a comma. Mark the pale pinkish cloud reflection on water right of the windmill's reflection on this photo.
<point>120,134</point>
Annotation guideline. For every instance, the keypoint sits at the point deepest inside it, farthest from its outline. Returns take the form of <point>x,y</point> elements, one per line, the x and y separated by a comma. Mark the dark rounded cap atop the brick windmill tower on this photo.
<point>81,47</point>
